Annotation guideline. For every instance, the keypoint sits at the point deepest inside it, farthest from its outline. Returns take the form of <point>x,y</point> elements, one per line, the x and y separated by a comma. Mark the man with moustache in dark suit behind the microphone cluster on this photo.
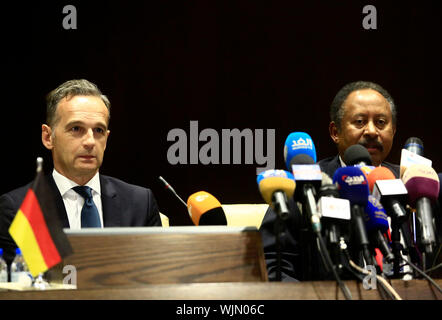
<point>361,113</point>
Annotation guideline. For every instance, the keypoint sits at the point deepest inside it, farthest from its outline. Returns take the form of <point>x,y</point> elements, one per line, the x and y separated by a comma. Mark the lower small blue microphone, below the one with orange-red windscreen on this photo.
<point>376,223</point>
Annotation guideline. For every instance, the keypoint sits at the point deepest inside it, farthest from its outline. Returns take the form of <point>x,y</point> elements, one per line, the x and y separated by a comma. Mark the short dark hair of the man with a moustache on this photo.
<point>337,111</point>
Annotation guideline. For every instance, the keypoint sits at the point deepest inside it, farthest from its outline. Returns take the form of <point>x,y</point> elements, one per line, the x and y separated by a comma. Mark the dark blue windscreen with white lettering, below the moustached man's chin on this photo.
<point>352,185</point>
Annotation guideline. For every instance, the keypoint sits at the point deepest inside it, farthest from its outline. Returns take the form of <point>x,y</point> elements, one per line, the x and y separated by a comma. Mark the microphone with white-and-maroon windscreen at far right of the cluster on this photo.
<point>423,186</point>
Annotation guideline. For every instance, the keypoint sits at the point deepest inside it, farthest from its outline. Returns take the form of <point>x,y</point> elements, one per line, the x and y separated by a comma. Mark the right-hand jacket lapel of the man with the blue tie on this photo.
<point>110,203</point>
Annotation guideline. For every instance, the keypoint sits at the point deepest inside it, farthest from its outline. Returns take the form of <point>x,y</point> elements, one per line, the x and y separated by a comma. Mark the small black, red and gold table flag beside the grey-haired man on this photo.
<point>36,229</point>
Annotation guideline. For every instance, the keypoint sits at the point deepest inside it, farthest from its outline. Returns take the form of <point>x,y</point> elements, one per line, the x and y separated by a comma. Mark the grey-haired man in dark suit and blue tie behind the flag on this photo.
<point>76,133</point>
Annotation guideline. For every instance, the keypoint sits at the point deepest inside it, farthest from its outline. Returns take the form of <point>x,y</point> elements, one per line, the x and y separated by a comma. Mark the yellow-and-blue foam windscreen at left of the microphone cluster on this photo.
<point>273,180</point>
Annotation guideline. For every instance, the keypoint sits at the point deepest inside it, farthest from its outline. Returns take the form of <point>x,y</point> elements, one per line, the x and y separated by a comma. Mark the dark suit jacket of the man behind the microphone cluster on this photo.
<point>297,262</point>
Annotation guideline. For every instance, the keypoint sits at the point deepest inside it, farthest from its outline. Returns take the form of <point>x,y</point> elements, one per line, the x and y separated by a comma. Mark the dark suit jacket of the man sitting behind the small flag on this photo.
<point>123,204</point>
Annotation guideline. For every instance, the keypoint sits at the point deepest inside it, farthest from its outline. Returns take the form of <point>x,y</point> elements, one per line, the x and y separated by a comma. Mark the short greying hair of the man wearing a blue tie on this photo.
<point>71,89</point>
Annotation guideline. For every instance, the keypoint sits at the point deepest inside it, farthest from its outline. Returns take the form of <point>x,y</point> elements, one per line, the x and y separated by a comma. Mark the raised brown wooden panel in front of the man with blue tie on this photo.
<point>120,260</point>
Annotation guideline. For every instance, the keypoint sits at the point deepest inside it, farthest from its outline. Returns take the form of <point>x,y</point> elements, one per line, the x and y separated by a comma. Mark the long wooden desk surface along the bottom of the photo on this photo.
<point>315,290</point>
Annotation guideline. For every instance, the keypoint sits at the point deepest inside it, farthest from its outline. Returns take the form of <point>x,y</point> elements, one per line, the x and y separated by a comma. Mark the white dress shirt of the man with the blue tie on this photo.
<point>73,202</point>
